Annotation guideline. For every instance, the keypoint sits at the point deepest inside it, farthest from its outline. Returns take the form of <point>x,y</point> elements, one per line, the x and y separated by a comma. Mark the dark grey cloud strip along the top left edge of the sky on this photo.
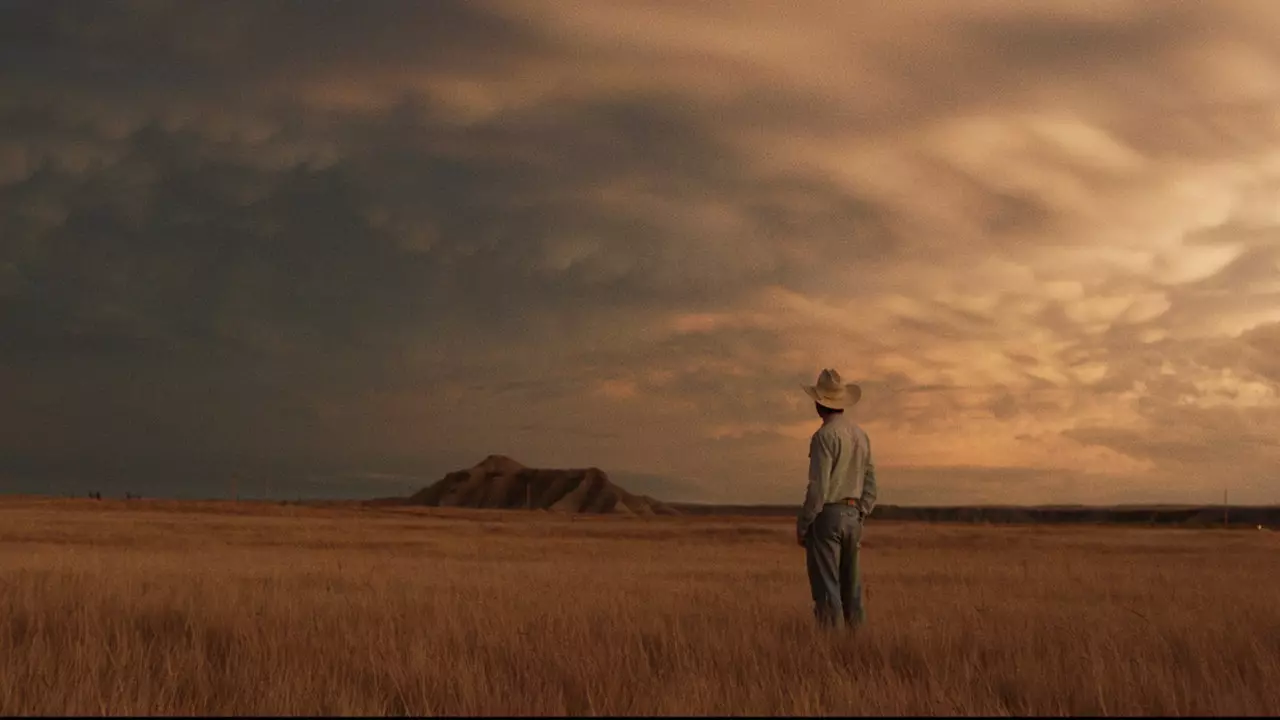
<point>244,49</point>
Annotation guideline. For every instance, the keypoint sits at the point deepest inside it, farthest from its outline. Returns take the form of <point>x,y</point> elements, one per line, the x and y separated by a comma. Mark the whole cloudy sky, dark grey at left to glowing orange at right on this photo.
<point>362,244</point>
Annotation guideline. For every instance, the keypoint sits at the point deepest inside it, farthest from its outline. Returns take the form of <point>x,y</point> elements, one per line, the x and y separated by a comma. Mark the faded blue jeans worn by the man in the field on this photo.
<point>831,550</point>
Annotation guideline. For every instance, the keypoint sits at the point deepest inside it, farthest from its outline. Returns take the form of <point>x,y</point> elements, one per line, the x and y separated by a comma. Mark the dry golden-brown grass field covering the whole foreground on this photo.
<point>198,609</point>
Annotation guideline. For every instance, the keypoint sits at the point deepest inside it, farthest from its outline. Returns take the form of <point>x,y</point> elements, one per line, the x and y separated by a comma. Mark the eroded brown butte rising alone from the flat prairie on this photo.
<point>500,482</point>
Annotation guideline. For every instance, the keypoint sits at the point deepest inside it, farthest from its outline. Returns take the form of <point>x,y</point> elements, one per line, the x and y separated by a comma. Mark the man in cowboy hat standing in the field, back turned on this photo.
<point>842,495</point>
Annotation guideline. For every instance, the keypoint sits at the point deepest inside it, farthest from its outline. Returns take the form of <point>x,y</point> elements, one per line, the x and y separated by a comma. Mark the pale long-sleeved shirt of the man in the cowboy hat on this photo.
<point>840,466</point>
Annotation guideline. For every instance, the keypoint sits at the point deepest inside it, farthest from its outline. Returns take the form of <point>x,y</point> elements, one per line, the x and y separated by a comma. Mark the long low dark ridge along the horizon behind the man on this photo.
<point>1127,514</point>
